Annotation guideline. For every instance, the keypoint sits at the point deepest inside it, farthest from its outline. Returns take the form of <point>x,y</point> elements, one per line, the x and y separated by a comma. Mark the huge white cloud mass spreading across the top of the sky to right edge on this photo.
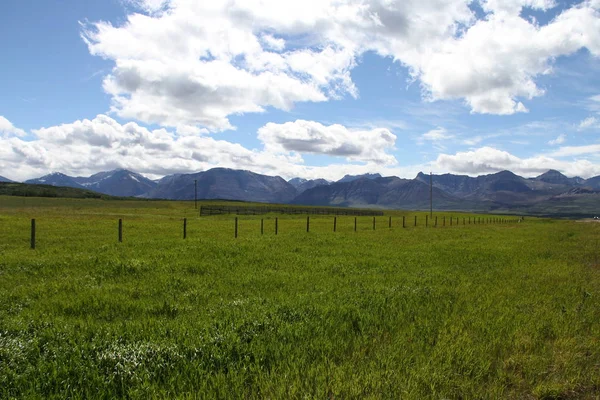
<point>185,62</point>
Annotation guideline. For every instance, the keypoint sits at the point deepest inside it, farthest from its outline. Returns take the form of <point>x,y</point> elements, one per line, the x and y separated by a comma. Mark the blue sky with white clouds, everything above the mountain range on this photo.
<point>311,88</point>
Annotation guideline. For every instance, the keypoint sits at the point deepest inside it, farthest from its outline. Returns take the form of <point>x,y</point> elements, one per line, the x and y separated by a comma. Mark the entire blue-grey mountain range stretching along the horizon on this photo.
<point>550,193</point>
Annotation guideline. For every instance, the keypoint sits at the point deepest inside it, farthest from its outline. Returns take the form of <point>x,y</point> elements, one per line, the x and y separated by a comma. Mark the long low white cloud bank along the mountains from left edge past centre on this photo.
<point>99,144</point>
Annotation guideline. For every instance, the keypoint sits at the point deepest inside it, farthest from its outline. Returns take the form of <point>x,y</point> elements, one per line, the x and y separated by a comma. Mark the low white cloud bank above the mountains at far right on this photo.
<point>489,160</point>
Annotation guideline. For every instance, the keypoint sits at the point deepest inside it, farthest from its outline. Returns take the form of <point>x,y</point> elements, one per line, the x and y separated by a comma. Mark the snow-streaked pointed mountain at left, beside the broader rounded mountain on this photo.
<point>119,182</point>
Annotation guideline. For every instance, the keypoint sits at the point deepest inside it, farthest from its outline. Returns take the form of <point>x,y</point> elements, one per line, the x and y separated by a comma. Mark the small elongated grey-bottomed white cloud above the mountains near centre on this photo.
<point>334,140</point>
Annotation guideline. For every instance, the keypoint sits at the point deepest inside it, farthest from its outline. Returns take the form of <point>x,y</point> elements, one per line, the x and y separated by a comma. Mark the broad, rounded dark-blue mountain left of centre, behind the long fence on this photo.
<point>226,184</point>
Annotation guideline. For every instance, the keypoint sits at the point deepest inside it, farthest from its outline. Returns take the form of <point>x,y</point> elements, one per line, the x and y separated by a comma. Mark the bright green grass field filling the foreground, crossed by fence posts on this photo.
<point>469,311</point>
